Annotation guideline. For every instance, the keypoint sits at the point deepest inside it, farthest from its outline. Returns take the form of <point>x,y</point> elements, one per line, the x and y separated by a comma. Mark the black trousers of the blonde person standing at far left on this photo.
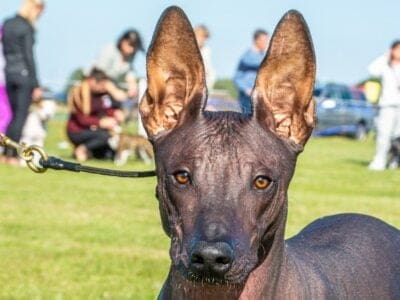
<point>19,91</point>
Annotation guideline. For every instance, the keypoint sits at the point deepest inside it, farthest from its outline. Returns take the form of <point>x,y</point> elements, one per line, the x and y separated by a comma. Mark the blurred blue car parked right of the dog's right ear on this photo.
<point>342,110</point>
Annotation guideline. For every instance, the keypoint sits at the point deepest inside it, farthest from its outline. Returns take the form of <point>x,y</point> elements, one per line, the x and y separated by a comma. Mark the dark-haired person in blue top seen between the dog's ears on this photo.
<point>246,71</point>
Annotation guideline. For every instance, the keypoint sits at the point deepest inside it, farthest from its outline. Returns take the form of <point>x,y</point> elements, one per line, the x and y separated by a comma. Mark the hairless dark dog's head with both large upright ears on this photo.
<point>223,176</point>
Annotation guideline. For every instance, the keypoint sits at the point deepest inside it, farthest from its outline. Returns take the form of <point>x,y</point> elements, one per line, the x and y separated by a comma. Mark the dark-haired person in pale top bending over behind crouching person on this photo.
<point>116,61</point>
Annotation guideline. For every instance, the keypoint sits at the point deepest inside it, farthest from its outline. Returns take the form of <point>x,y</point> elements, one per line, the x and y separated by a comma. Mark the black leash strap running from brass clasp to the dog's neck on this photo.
<point>58,164</point>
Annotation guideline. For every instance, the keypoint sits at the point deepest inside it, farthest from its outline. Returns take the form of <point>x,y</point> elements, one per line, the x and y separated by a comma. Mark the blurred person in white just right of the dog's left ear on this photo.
<point>202,34</point>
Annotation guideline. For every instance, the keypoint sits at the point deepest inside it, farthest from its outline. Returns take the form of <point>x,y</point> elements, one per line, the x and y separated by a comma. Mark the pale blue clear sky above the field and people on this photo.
<point>347,34</point>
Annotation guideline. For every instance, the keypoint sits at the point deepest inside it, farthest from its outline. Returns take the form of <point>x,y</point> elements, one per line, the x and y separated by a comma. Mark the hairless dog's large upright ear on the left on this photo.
<point>176,89</point>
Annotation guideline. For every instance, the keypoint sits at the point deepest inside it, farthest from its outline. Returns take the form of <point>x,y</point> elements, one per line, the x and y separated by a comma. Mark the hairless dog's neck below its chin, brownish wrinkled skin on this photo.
<point>268,278</point>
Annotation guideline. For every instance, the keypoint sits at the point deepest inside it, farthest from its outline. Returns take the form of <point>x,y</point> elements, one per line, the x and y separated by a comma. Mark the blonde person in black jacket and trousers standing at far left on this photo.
<point>21,79</point>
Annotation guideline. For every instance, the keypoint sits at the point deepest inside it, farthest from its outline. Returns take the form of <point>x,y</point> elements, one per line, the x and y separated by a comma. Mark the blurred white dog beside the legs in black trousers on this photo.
<point>35,127</point>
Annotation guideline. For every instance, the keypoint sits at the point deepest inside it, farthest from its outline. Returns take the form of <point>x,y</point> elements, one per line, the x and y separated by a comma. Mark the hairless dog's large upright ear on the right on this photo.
<point>282,96</point>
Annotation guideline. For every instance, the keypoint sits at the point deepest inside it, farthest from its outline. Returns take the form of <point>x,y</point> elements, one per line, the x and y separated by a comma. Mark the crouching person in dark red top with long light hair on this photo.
<point>93,119</point>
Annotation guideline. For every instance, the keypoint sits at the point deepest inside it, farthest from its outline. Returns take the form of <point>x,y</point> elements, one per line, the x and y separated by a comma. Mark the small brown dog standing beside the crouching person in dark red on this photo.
<point>130,144</point>
